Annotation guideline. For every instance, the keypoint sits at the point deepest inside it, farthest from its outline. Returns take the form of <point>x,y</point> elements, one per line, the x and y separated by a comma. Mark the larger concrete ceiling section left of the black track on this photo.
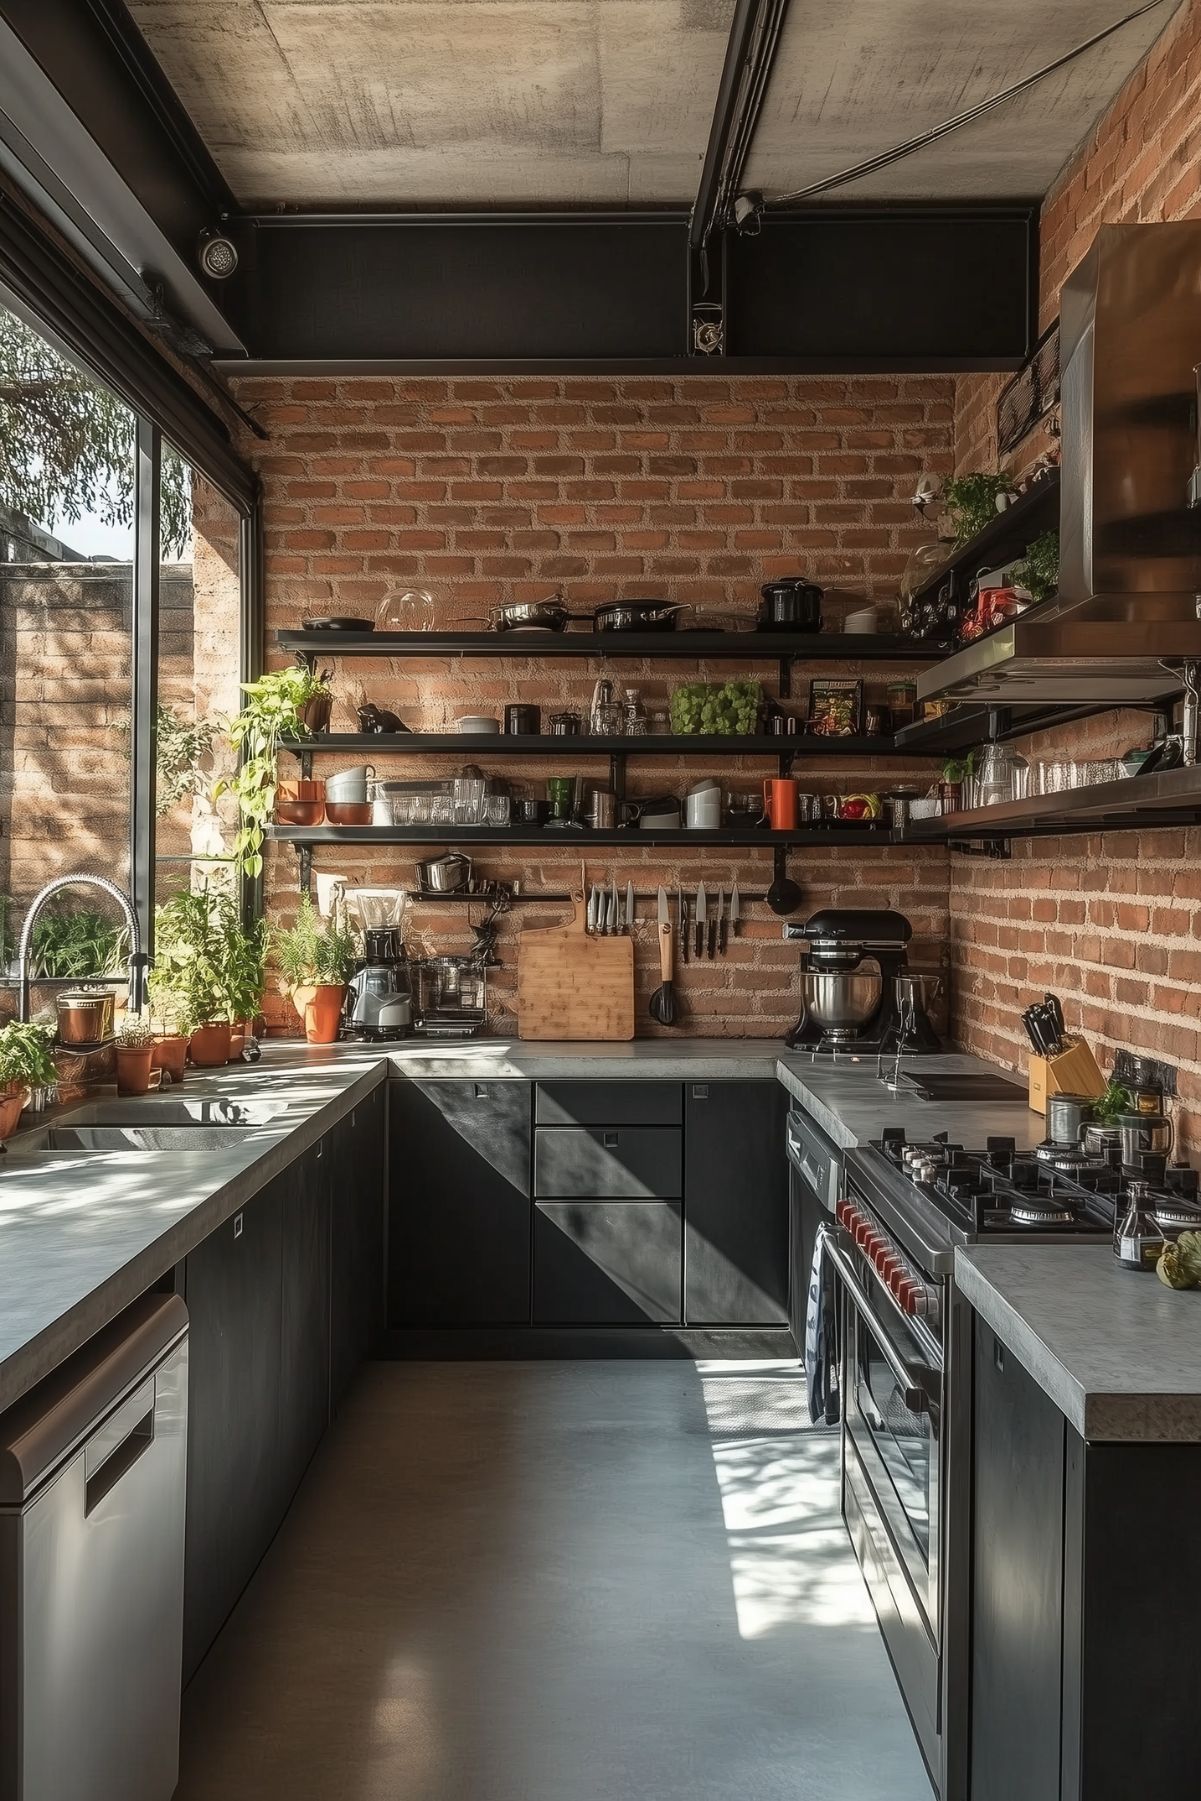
<point>462,104</point>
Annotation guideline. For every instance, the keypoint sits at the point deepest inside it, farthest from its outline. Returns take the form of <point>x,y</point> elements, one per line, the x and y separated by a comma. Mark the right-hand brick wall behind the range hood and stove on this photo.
<point>1108,921</point>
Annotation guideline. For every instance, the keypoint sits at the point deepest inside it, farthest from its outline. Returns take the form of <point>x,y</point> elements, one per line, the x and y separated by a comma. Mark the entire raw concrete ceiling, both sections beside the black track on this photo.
<point>496,104</point>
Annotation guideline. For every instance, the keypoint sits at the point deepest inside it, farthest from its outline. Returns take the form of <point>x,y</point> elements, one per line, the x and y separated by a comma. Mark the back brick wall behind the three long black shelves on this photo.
<point>487,491</point>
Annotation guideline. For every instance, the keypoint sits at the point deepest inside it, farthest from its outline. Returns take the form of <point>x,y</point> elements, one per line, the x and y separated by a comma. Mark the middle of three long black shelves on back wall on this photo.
<point>550,745</point>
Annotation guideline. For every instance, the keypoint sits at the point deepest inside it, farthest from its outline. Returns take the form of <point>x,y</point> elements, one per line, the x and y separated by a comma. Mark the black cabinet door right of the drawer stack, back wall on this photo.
<point>736,1206</point>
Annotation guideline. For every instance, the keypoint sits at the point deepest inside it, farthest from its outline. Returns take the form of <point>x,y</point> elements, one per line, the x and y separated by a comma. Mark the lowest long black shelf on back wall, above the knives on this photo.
<point>575,838</point>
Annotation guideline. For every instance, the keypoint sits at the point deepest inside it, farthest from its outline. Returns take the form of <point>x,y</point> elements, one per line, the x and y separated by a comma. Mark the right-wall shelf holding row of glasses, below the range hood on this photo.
<point>1169,797</point>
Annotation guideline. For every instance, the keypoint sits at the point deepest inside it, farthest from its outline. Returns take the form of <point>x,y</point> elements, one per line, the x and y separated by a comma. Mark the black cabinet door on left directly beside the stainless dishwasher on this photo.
<point>235,1303</point>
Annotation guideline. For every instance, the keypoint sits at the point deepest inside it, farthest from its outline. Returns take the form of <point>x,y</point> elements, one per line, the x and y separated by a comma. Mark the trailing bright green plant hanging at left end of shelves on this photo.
<point>282,705</point>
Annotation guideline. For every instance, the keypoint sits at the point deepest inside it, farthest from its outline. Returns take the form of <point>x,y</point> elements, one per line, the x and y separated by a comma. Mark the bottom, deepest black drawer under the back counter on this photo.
<point>608,1263</point>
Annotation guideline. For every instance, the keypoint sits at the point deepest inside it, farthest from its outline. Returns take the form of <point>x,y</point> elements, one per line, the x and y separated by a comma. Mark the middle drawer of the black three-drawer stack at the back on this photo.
<point>633,1163</point>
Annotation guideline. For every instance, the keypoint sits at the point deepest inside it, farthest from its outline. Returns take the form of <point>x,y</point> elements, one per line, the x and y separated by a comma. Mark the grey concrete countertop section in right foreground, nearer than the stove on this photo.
<point>1115,1350</point>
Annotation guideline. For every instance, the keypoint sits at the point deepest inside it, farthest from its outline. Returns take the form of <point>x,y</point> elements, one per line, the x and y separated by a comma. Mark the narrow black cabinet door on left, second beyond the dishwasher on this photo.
<point>305,1319</point>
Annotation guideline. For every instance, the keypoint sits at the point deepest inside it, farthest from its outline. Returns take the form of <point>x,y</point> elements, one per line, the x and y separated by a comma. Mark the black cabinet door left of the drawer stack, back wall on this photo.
<point>460,1204</point>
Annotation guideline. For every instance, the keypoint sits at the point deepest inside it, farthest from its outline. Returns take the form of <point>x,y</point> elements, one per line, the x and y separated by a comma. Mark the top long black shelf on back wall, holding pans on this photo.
<point>680,647</point>
